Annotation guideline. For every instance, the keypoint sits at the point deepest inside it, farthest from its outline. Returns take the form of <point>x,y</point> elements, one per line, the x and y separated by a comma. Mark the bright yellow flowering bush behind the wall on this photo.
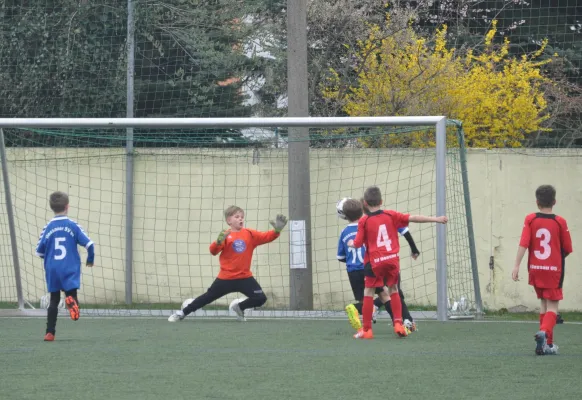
<point>498,98</point>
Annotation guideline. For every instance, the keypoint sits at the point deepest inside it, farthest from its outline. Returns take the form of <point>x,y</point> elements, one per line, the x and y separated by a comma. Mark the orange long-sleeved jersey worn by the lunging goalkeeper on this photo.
<point>236,252</point>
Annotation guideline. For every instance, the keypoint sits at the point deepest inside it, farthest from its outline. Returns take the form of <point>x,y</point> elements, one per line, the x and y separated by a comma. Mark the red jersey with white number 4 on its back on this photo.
<point>379,232</point>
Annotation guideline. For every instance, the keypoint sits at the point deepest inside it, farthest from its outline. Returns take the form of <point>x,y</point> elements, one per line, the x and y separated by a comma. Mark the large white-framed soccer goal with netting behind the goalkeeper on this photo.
<point>151,194</point>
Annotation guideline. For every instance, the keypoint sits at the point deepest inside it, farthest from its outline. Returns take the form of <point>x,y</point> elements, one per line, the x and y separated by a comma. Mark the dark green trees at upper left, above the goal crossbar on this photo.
<point>68,59</point>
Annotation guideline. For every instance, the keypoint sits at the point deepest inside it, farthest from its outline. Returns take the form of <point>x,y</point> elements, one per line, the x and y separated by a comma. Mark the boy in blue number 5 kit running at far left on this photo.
<point>57,246</point>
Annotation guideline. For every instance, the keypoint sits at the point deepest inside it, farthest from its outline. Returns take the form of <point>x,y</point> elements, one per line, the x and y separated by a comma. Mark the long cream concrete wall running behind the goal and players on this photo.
<point>180,195</point>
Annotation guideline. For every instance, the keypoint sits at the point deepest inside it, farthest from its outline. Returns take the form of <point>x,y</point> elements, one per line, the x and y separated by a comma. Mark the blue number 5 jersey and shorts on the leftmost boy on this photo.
<point>57,245</point>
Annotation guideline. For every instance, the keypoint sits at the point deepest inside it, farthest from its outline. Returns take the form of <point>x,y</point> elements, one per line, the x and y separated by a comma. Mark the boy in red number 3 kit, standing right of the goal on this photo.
<point>546,237</point>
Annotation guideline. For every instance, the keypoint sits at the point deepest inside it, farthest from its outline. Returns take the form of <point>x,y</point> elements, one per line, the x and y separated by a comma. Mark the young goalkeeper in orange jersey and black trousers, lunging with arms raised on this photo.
<point>236,246</point>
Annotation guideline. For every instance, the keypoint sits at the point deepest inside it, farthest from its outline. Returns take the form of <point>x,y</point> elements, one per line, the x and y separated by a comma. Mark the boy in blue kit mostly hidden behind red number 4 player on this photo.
<point>355,259</point>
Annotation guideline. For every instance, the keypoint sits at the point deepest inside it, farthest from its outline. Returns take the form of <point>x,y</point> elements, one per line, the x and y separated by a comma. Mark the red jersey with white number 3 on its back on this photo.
<point>548,241</point>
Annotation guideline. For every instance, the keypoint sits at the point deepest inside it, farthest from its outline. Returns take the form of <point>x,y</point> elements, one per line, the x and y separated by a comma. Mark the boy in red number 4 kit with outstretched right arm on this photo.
<point>378,231</point>
